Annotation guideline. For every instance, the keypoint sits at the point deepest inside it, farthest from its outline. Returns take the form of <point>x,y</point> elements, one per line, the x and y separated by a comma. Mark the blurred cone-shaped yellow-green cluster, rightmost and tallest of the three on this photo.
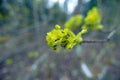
<point>93,20</point>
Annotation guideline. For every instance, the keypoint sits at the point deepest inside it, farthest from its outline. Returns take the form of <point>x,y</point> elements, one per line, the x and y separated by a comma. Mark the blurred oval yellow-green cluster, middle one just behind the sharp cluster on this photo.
<point>74,22</point>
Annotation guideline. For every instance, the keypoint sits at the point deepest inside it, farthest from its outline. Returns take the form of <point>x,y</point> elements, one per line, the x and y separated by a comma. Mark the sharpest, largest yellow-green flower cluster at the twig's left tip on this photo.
<point>63,38</point>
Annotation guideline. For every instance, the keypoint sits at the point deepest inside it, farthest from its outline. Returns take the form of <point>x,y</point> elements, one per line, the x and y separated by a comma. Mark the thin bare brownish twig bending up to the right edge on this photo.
<point>104,40</point>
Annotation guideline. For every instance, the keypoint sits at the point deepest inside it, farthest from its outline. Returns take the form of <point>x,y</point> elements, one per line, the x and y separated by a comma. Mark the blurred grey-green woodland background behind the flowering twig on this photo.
<point>25,55</point>
